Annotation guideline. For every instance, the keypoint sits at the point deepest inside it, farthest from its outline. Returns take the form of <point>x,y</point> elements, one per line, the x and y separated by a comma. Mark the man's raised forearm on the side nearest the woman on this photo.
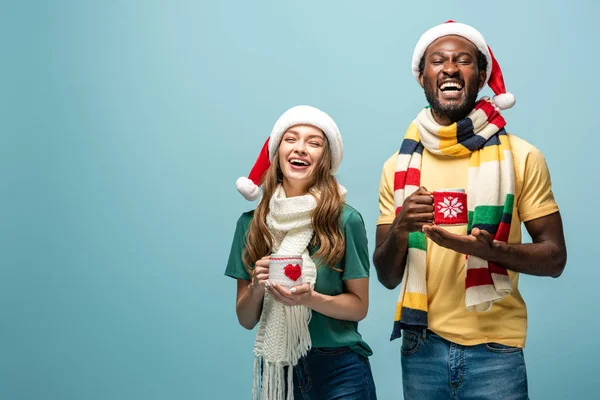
<point>389,257</point>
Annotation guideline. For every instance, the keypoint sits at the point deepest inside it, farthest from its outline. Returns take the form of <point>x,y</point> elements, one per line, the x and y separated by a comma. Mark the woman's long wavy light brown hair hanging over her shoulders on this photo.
<point>326,218</point>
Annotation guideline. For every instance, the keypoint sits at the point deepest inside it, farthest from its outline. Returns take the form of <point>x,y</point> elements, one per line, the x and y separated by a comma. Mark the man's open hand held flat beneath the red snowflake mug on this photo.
<point>478,243</point>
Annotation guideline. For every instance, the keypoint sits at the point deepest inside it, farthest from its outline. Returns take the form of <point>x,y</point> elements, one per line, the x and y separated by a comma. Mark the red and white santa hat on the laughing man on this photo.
<point>493,76</point>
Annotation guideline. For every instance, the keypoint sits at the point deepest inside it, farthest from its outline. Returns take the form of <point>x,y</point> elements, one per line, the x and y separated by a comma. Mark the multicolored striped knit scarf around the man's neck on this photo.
<point>491,186</point>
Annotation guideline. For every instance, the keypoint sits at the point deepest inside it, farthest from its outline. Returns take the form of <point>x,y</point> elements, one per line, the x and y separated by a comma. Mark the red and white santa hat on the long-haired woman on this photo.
<point>300,115</point>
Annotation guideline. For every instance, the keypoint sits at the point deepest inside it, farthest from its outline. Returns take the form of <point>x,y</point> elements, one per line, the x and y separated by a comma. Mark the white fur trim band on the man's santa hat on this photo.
<point>446,29</point>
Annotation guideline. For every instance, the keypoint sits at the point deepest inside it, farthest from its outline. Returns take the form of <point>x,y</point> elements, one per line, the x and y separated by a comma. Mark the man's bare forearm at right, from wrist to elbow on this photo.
<point>540,259</point>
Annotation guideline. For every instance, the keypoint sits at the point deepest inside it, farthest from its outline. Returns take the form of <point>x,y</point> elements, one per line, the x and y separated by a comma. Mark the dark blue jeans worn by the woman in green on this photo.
<point>334,373</point>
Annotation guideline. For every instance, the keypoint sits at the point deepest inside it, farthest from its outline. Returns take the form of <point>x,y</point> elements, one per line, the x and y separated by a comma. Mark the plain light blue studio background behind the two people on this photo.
<point>125,124</point>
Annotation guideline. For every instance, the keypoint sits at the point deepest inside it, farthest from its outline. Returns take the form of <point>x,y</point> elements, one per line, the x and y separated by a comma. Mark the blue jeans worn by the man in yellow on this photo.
<point>434,368</point>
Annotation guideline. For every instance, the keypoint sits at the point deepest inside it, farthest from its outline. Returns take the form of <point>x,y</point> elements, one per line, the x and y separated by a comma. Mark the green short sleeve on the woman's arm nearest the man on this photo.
<point>356,257</point>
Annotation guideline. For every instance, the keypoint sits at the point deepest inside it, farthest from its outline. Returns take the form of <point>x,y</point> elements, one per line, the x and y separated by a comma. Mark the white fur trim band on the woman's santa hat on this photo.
<point>307,115</point>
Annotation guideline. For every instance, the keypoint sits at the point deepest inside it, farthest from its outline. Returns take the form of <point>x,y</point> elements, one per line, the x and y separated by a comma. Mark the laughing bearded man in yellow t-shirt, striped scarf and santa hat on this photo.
<point>462,318</point>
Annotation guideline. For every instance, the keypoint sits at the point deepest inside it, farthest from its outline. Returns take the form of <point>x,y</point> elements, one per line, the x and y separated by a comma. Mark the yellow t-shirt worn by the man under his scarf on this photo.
<point>506,322</point>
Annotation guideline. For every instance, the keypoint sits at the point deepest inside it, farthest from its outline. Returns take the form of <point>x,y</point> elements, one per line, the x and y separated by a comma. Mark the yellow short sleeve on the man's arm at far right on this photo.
<point>536,199</point>
